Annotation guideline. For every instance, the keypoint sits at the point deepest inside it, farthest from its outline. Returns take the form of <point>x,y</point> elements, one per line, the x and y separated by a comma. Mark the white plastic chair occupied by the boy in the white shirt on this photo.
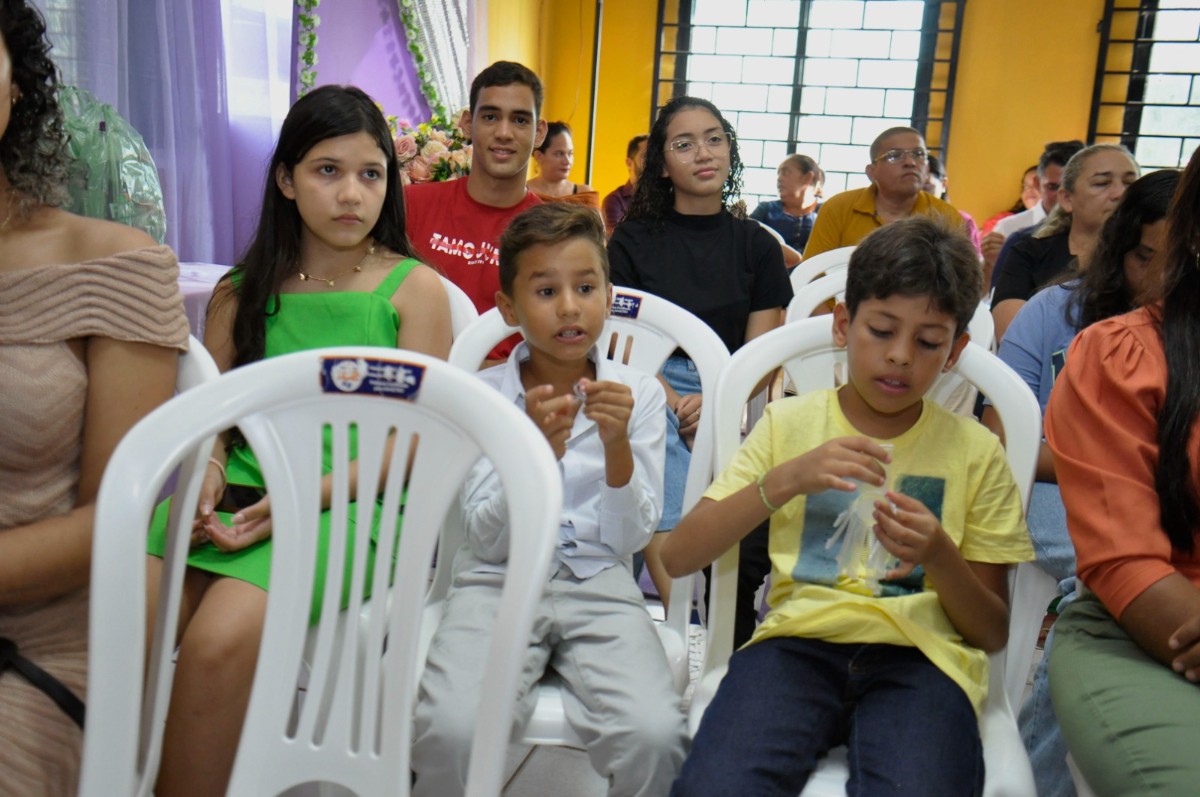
<point>643,332</point>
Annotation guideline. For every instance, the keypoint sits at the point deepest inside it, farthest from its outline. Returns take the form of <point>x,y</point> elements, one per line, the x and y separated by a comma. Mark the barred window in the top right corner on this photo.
<point>1148,81</point>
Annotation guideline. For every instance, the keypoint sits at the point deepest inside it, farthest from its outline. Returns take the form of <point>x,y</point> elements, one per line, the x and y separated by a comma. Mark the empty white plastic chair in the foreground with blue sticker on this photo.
<point>355,729</point>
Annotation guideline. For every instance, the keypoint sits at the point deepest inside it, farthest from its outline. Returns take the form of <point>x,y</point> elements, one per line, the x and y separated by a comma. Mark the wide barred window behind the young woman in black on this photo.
<point>818,77</point>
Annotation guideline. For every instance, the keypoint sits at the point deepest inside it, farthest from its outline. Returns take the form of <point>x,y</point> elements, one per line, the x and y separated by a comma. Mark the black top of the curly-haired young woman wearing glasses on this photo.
<point>719,268</point>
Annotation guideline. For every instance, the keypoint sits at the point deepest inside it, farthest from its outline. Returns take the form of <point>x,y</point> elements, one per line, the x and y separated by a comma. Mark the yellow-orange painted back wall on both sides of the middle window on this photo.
<point>1025,79</point>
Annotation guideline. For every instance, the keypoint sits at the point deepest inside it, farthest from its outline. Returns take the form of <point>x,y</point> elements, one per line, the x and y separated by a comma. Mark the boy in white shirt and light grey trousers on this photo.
<point>607,424</point>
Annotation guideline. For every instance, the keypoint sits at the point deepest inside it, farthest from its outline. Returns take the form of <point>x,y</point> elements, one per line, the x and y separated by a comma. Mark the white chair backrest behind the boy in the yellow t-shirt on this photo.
<point>812,338</point>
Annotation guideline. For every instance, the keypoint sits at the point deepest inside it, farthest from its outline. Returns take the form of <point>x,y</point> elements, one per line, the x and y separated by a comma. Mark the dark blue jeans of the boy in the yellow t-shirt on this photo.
<point>787,702</point>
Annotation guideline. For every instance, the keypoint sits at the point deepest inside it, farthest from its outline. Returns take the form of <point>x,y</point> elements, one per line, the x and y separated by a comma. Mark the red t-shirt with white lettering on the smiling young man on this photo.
<point>460,237</point>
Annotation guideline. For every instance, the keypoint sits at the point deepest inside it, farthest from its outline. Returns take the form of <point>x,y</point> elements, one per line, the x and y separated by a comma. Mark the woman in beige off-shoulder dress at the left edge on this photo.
<point>92,323</point>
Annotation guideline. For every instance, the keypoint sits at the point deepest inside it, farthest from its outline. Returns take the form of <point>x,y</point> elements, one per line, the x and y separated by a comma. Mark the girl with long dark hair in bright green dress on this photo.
<point>331,266</point>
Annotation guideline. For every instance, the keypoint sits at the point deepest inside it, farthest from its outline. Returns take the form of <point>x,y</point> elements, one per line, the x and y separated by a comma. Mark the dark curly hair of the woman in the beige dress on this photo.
<point>34,149</point>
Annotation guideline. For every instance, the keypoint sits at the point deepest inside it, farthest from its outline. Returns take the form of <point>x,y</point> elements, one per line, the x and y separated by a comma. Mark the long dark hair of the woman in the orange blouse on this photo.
<point>1180,328</point>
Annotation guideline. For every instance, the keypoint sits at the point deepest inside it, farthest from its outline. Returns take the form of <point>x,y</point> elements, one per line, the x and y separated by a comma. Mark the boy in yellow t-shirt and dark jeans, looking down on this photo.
<point>890,660</point>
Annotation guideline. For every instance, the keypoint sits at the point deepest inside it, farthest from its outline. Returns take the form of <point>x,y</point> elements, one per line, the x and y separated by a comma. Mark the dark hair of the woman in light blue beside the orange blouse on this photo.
<point>1105,291</point>
